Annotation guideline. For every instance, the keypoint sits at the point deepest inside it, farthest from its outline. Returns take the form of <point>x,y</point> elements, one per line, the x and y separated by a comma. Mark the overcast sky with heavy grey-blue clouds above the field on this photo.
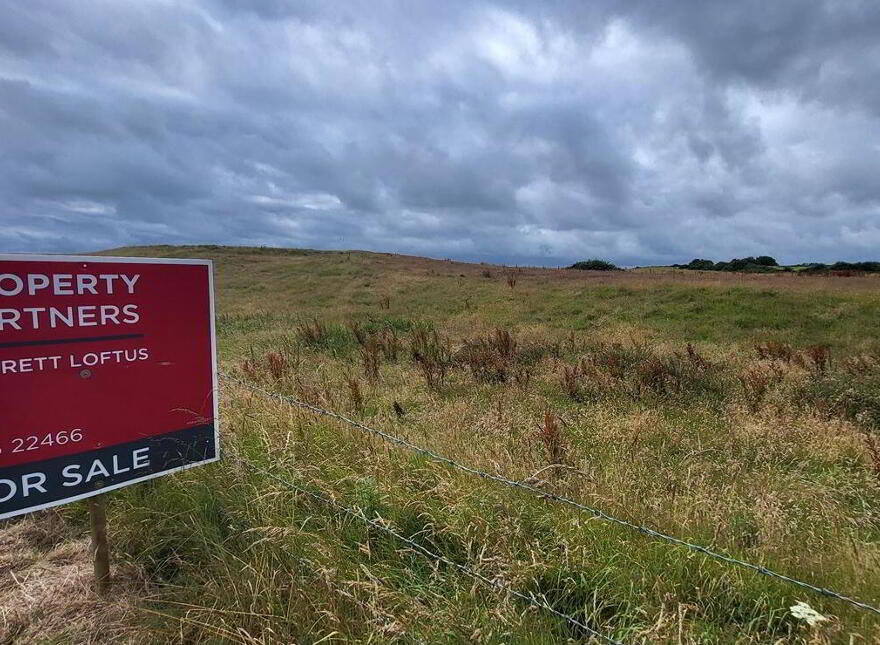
<point>644,132</point>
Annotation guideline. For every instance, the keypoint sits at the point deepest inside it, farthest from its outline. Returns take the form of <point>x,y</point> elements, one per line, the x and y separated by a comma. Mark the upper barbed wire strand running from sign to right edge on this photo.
<point>595,512</point>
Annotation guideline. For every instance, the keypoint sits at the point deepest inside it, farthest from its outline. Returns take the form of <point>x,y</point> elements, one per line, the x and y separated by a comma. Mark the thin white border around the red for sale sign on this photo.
<point>18,257</point>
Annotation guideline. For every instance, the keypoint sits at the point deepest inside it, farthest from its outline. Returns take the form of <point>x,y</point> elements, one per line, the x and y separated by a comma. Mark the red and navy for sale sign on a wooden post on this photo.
<point>107,374</point>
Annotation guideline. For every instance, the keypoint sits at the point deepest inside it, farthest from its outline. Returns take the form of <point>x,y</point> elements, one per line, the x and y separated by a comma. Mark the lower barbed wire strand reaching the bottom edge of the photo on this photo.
<point>494,584</point>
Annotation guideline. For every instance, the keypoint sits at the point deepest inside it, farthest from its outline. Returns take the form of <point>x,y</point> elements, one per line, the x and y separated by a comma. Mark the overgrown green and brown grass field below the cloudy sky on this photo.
<point>741,412</point>
